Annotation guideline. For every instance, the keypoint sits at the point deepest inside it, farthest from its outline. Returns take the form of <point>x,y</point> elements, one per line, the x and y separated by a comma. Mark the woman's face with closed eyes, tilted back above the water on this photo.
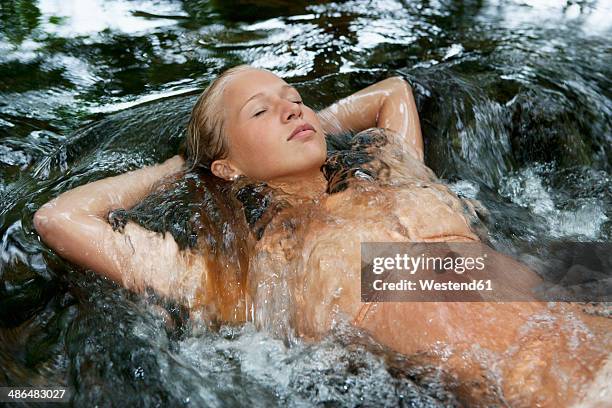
<point>262,112</point>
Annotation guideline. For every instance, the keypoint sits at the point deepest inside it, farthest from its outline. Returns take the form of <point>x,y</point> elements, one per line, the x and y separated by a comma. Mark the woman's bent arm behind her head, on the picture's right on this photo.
<point>386,104</point>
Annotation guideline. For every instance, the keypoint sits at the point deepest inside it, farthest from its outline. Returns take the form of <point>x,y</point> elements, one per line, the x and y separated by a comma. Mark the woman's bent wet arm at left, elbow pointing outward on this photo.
<point>75,226</point>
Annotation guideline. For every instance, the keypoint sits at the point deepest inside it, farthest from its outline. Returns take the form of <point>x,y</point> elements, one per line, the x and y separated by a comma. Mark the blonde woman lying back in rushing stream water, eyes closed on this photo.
<point>304,262</point>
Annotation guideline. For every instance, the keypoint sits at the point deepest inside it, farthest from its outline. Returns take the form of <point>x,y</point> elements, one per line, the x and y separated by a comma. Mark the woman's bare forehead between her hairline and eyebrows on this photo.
<point>245,84</point>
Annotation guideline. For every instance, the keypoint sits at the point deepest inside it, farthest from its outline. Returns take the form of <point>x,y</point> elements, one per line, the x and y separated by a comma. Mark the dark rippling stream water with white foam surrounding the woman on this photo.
<point>515,103</point>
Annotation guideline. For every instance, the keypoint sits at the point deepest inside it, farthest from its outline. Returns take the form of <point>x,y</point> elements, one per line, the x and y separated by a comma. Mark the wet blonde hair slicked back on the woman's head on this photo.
<point>206,138</point>
